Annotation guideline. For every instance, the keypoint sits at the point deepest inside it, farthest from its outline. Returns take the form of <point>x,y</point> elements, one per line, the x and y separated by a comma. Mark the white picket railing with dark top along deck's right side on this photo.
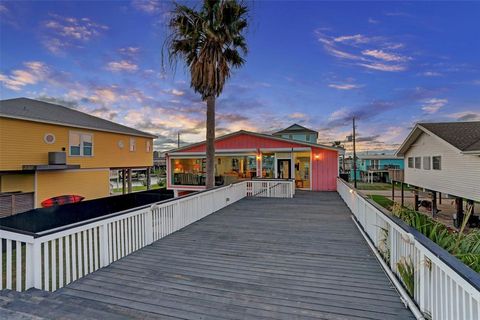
<point>441,291</point>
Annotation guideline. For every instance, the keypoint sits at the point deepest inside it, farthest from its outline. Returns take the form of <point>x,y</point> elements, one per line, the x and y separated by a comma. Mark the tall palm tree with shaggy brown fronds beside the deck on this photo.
<point>211,42</point>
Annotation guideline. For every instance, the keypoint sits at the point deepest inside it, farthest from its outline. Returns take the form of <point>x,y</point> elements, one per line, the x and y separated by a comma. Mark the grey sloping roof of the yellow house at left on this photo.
<point>39,111</point>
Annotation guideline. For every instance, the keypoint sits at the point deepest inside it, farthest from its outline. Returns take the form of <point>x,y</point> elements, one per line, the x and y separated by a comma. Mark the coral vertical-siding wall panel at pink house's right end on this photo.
<point>324,169</point>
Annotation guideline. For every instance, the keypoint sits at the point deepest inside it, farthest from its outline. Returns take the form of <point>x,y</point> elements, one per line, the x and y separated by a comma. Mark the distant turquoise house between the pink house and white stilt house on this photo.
<point>378,168</point>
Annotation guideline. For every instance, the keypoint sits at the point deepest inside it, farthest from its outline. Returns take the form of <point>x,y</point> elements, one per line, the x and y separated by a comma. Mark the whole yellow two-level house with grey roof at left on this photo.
<point>48,150</point>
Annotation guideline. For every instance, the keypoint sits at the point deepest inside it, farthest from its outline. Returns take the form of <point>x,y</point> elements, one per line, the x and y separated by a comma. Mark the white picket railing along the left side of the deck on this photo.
<point>54,259</point>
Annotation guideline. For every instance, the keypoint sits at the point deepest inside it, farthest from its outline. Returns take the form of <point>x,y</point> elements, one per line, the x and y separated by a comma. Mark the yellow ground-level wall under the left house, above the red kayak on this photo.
<point>90,184</point>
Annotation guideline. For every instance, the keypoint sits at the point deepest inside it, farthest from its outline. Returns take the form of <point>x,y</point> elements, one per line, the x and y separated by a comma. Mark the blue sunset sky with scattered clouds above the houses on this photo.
<point>315,63</point>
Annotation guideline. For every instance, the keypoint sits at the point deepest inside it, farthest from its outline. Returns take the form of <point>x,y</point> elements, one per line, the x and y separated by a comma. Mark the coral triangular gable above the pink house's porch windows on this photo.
<point>245,141</point>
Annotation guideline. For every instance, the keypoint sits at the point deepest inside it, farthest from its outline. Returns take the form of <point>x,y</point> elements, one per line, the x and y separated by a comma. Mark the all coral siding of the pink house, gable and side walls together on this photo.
<point>324,169</point>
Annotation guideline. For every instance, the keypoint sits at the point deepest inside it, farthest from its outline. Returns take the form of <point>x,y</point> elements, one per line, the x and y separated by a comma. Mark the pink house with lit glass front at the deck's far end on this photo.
<point>247,155</point>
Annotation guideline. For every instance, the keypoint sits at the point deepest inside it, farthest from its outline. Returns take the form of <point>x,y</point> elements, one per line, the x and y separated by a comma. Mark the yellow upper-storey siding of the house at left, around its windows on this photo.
<point>21,143</point>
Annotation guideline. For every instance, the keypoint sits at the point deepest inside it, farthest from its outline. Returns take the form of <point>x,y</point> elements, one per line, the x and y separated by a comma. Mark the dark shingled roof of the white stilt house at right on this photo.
<point>464,136</point>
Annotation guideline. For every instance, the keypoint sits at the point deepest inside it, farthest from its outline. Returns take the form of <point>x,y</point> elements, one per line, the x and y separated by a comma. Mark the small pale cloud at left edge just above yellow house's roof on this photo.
<point>32,73</point>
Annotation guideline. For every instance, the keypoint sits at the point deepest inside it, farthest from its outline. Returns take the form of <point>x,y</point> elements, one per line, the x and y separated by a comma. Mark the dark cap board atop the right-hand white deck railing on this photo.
<point>469,275</point>
